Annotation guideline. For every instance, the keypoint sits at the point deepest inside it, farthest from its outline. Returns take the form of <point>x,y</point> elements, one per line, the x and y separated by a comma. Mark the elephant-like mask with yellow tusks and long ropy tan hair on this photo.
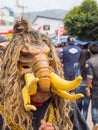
<point>31,70</point>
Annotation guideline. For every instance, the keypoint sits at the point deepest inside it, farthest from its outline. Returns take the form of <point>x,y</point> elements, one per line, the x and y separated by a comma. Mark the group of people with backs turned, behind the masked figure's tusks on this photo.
<point>82,60</point>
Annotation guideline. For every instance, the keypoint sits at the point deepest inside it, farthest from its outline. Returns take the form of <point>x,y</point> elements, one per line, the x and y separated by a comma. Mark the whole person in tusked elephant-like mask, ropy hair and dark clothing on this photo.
<point>33,92</point>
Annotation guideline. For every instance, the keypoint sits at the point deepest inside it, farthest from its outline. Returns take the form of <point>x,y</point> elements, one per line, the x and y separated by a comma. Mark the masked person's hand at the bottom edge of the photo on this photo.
<point>46,126</point>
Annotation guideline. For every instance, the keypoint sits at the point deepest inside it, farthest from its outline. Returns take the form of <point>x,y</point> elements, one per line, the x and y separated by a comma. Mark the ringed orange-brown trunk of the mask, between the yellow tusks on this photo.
<point>42,71</point>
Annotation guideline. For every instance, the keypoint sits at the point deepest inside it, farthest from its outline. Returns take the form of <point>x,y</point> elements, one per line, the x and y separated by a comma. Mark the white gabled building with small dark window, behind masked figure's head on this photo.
<point>47,25</point>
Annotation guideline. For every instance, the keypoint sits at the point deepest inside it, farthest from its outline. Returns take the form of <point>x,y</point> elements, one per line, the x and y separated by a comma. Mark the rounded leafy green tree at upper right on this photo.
<point>82,21</point>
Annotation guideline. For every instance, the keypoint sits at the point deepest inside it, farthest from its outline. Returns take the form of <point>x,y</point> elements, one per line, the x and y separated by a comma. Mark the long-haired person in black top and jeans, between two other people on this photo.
<point>80,69</point>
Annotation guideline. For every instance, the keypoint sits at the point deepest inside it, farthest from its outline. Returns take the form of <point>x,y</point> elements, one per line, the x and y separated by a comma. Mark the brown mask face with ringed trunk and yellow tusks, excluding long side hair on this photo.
<point>36,63</point>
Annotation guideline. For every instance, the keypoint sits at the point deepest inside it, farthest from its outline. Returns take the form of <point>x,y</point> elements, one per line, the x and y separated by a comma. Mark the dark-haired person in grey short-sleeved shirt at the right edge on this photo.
<point>92,82</point>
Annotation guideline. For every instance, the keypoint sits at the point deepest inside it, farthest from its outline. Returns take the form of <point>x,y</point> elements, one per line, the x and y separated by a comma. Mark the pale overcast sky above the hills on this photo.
<point>40,5</point>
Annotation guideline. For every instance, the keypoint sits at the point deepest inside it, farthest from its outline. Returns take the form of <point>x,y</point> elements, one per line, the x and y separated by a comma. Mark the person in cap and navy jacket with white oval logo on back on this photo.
<point>70,55</point>
